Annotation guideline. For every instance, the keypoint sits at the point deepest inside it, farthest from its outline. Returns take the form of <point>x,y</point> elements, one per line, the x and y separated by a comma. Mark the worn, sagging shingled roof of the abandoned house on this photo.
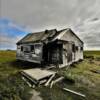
<point>43,36</point>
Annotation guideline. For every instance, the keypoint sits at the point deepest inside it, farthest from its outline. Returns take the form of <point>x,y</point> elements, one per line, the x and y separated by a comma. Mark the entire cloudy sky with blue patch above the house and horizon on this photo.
<point>19,17</point>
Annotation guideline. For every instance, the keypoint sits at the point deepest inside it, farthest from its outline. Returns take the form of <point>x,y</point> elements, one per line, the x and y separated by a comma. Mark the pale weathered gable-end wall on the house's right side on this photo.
<point>72,39</point>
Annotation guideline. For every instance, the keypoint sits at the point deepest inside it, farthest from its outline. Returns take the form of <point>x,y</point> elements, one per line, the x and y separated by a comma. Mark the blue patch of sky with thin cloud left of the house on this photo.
<point>10,33</point>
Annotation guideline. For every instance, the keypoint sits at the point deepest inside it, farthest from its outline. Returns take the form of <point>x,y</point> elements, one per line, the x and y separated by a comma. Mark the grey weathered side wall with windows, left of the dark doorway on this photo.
<point>31,56</point>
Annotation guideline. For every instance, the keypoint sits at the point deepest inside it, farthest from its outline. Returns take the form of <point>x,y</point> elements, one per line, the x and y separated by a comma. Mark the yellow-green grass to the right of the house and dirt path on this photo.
<point>86,81</point>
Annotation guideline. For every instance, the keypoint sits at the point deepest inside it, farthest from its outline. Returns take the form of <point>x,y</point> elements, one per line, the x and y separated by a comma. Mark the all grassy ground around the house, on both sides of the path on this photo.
<point>78,77</point>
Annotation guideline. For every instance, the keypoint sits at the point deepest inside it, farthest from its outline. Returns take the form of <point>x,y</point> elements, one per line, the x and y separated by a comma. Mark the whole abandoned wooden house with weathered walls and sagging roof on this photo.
<point>51,47</point>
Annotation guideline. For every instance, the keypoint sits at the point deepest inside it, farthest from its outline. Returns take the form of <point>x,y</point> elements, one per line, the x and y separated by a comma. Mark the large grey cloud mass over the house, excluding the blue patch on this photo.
<point>41,14</point>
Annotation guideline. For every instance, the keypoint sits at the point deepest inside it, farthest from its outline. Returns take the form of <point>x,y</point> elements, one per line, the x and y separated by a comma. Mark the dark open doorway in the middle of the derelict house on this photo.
<point>52,53</point>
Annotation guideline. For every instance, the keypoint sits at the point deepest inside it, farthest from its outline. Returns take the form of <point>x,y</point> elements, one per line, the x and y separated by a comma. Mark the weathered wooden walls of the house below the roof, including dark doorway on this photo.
<point>54,53</point>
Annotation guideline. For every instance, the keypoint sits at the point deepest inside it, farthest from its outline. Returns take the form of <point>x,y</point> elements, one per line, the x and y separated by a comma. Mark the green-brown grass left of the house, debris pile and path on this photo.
<point>12,87</point>
